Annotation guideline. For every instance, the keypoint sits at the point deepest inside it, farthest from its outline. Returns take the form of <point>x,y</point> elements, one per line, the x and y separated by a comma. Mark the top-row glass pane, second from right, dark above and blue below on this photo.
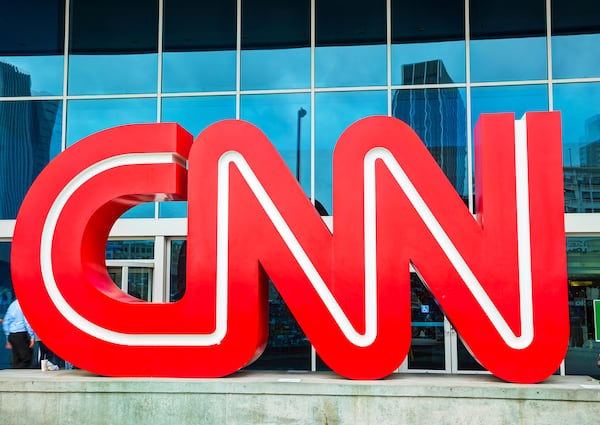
<point>499,36</point>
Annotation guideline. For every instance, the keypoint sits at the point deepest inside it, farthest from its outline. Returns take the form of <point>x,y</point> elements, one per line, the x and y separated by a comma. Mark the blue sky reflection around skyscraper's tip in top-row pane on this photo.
<point>452,54</point>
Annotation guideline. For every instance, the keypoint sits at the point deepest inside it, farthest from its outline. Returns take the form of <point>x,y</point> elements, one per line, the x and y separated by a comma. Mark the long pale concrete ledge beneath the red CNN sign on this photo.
<point>76,397</point>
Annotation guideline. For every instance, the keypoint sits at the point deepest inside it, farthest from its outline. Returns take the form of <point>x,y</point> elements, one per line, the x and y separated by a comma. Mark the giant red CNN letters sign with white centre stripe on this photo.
<point>500,277</point>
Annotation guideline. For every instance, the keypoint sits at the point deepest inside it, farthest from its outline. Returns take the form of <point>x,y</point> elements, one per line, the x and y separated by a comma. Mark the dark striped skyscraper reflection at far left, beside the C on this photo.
<point>25,132</point>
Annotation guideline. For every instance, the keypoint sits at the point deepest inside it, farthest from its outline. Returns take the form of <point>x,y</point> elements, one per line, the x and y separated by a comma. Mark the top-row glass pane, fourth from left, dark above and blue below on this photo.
<point>275,44</point>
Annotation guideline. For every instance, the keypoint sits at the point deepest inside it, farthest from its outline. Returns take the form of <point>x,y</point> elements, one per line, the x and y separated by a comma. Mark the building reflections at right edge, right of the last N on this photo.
<point>582,184</point>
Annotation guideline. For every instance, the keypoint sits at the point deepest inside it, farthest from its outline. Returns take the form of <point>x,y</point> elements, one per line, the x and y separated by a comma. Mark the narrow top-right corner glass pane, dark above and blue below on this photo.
<point>575,38</point>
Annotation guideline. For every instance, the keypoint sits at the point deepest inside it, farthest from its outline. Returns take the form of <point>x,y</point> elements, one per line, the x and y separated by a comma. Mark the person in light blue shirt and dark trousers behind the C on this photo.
<point>19,335</point>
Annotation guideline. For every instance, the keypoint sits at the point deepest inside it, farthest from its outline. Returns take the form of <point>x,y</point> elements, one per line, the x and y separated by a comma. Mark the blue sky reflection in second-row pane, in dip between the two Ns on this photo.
<point>334,113</point>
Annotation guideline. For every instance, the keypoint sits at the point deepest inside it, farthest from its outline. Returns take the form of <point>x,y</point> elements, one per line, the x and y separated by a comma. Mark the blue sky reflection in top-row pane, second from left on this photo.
<point>113,74</point>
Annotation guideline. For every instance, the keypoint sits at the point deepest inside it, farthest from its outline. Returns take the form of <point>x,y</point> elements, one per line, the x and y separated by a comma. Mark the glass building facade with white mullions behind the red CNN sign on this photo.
<point>303,71</point>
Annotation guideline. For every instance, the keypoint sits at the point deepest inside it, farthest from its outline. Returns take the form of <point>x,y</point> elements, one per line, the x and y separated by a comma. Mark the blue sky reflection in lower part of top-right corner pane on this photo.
<point>576,56</point>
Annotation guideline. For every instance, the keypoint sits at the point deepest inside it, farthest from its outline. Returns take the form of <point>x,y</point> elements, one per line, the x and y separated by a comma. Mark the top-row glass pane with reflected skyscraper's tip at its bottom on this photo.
<point>419,36</point>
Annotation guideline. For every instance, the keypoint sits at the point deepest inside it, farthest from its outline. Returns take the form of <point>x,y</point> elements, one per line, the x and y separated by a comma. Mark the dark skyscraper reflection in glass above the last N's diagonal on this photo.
<point>437,115</point>
